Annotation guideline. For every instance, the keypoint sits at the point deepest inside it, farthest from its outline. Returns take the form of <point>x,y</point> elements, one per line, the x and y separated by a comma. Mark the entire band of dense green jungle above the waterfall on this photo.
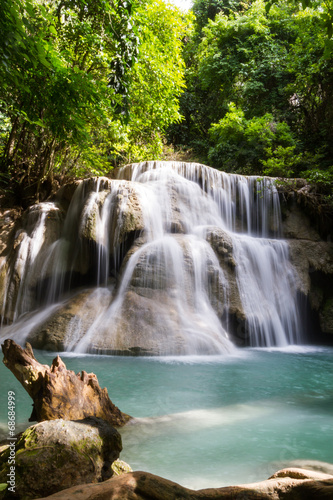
<point>89,85</point>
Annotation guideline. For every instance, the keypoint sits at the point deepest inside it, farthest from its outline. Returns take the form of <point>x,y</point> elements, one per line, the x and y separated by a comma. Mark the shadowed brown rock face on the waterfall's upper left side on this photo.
<point>53,247</point>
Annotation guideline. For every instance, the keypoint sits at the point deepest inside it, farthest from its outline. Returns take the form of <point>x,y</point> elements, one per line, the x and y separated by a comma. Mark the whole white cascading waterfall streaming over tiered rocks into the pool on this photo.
<point>171,251</point>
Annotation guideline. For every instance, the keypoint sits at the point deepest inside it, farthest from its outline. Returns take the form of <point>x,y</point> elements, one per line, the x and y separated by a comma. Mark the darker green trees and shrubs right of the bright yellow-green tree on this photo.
<point>274,64</point>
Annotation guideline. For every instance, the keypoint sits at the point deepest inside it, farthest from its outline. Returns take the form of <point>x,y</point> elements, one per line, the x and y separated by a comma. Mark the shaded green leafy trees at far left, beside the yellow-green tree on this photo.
<point>63,75</point>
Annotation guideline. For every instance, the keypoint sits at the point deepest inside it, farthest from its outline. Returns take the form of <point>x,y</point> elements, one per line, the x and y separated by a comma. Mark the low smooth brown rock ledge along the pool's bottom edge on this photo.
<point>285,485</point>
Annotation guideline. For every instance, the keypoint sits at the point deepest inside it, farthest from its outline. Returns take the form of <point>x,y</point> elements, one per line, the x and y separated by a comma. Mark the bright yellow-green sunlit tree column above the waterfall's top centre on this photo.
<point>157,80</point>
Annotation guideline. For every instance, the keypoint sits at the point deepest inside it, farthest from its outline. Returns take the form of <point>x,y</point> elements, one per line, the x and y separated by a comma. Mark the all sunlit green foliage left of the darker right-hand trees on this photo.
<point>85,84</point>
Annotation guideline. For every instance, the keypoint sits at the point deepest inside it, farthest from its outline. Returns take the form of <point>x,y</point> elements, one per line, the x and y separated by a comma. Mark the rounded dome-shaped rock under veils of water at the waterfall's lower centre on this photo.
<point>157,307</point>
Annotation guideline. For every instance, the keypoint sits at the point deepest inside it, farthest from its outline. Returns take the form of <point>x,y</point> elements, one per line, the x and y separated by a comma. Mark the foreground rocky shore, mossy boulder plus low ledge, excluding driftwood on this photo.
<point>61,460</point>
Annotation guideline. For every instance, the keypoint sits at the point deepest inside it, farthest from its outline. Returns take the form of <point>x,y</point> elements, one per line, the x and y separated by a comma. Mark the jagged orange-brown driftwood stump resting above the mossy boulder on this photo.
<point>57,392</point>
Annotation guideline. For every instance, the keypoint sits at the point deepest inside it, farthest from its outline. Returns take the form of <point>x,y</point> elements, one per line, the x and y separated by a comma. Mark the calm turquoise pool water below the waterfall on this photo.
<point>215,420</point>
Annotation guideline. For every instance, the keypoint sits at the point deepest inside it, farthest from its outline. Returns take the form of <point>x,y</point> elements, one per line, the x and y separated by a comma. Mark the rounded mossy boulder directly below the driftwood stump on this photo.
<point>58,454</point>
